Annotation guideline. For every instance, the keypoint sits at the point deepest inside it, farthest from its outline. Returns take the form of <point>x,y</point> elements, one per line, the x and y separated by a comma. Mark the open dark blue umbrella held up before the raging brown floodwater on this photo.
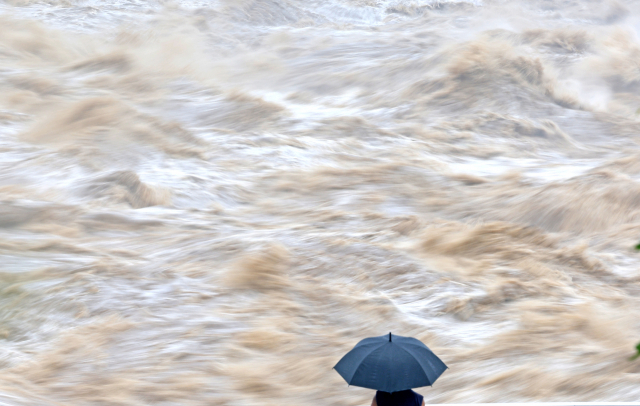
<point>390,363</point>
